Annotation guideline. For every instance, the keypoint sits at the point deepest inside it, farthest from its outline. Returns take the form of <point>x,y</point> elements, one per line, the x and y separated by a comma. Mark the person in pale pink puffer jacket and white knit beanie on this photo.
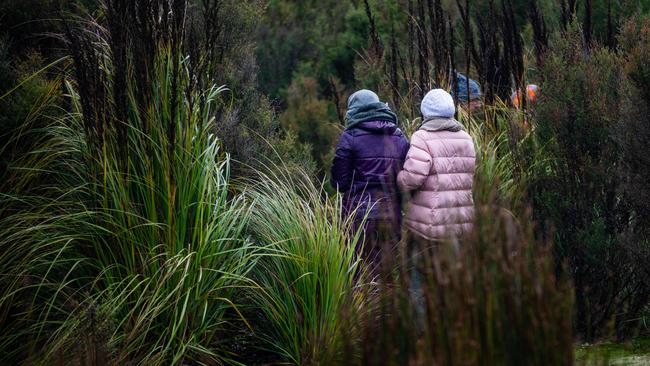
<point>439,172</point>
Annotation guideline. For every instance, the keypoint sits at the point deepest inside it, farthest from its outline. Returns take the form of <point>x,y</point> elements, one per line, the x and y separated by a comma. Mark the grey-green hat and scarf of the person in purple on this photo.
<point>365,106</point>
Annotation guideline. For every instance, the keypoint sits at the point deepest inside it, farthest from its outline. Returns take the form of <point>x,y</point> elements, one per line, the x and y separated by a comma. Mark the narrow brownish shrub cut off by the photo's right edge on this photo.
<point>633,137</point>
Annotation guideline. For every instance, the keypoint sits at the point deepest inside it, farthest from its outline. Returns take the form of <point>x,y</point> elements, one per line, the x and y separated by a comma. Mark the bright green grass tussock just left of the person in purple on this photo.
<point>308,276</point>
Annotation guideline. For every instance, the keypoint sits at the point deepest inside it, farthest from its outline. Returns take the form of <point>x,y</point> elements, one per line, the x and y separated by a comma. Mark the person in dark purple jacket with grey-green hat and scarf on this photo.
<point>368,158</point>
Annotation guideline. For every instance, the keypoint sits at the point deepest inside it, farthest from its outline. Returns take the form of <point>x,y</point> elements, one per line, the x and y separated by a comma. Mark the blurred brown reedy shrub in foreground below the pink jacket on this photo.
<point>489,299</point>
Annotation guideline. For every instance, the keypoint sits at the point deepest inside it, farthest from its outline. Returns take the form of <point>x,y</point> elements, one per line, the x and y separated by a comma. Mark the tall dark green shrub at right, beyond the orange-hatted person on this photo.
<point>580,116</point>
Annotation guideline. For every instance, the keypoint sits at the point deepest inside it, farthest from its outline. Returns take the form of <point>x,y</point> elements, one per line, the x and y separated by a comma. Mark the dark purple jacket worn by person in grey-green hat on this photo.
<point>367,161</point>
